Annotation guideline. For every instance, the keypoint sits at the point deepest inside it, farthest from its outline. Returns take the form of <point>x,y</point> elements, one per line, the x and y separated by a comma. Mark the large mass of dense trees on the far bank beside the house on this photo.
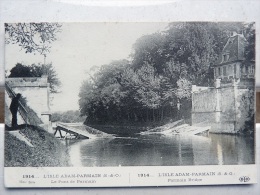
<point>162,68</point>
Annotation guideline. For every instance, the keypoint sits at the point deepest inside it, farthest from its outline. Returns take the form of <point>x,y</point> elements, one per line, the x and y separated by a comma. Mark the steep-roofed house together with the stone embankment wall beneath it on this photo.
<point>228,107</point>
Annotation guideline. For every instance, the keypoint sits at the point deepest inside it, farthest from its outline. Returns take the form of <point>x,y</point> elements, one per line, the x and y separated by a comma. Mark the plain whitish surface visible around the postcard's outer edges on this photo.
<point>42,10</point>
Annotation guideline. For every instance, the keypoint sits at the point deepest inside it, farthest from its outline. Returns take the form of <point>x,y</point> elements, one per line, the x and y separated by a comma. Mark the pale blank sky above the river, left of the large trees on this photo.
<point>80,46</point>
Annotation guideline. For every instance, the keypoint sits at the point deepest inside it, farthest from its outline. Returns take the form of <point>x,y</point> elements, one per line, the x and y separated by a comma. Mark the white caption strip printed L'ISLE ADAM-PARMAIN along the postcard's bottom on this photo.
<point>129,176</point>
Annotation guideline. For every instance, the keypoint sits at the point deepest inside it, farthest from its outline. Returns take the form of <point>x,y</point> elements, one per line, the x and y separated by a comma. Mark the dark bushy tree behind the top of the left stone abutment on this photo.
<point>39,70</point>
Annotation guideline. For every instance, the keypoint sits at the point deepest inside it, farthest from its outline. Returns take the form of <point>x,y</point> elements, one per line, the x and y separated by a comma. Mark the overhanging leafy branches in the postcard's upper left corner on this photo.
<point>32,37</point>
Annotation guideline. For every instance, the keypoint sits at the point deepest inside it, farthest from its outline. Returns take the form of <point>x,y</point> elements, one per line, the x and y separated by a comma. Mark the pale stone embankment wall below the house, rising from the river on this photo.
<point>225,107</point>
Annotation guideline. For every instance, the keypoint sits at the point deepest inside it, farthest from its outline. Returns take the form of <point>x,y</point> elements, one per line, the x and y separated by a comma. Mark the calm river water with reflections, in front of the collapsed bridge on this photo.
<point>158,150</point>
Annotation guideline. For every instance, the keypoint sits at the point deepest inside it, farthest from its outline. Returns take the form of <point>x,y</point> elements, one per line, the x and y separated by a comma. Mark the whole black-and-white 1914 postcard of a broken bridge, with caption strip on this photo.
<point>129,104</point>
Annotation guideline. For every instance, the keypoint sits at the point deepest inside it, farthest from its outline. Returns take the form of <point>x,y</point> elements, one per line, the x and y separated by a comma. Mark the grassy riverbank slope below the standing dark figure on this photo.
<point>47,151</point>
